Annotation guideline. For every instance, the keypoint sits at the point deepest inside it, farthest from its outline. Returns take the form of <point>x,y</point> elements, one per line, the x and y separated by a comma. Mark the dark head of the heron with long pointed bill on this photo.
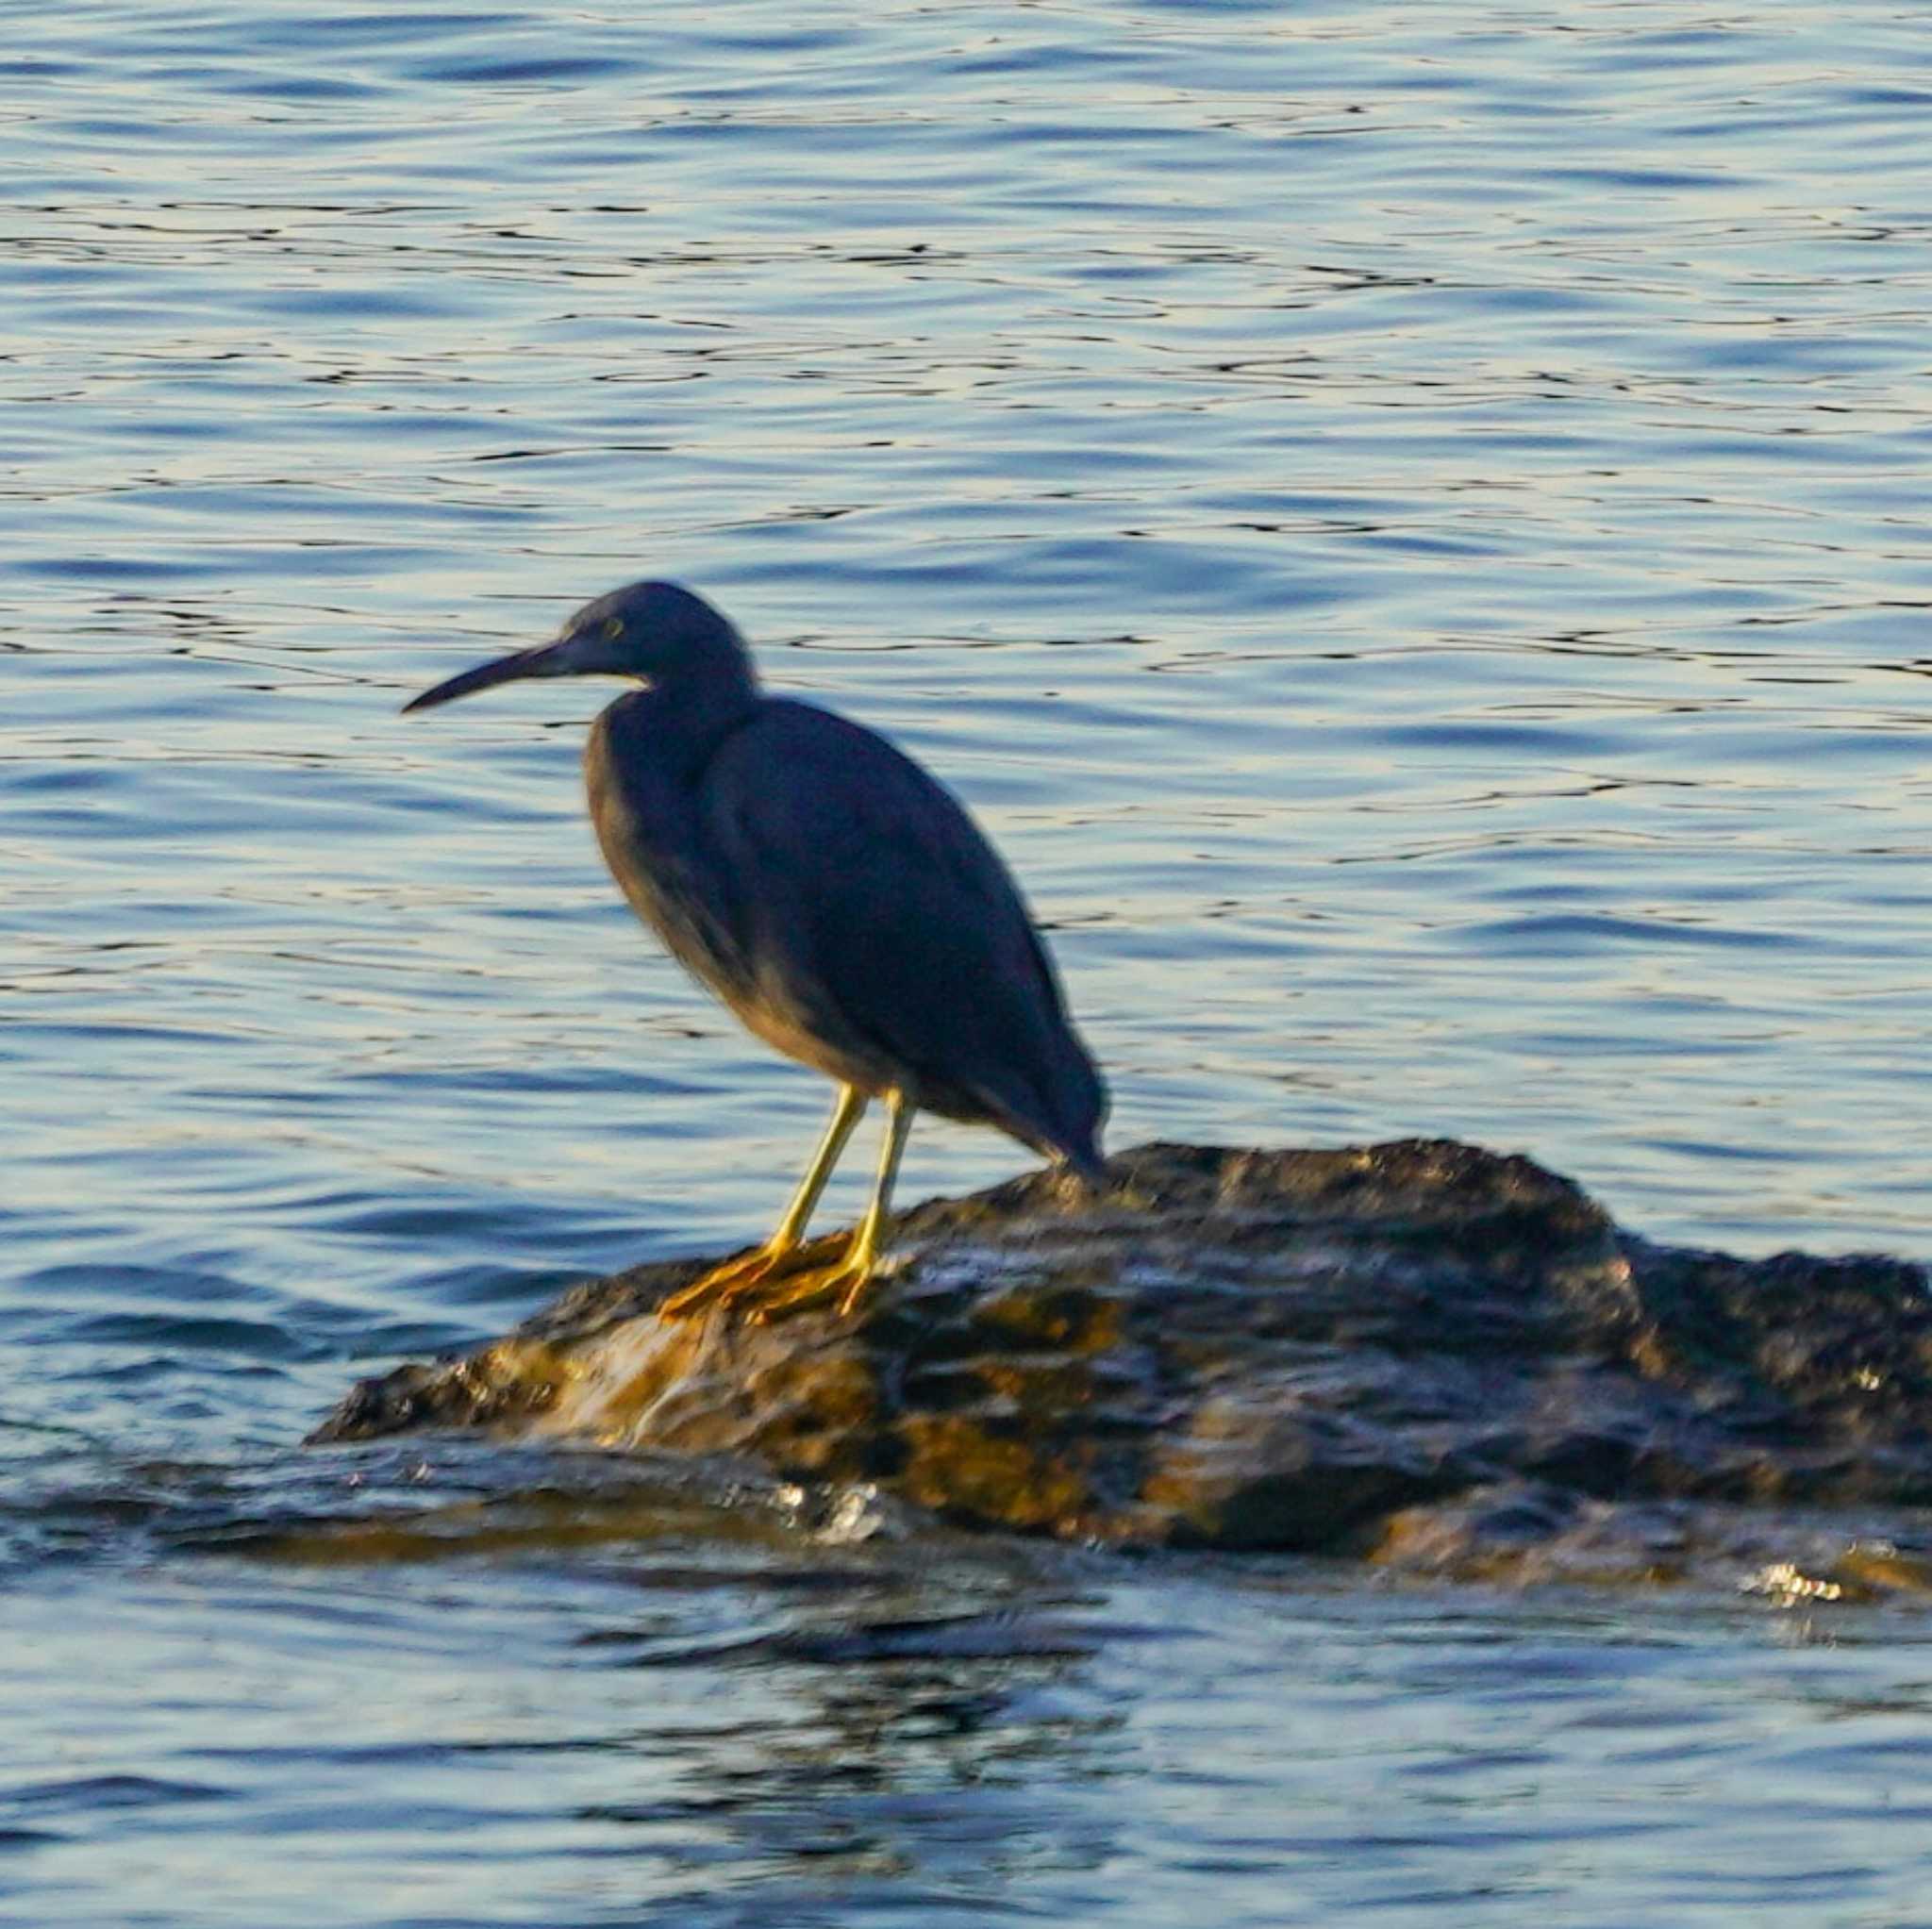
<point>654,632</point>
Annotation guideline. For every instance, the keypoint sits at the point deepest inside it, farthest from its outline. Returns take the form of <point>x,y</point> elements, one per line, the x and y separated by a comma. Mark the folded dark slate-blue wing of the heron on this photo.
<point>867,891</point>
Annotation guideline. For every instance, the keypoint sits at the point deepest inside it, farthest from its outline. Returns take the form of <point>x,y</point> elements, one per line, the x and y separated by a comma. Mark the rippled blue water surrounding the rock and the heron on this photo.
<point>1406,522</point>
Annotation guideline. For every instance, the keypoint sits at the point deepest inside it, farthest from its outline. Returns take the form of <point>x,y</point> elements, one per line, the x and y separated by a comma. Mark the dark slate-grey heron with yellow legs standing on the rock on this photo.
<point>832,893</point>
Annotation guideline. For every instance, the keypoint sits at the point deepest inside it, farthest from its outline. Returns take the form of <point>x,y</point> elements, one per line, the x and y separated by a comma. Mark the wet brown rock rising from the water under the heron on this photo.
<point>1427,1355</point>
